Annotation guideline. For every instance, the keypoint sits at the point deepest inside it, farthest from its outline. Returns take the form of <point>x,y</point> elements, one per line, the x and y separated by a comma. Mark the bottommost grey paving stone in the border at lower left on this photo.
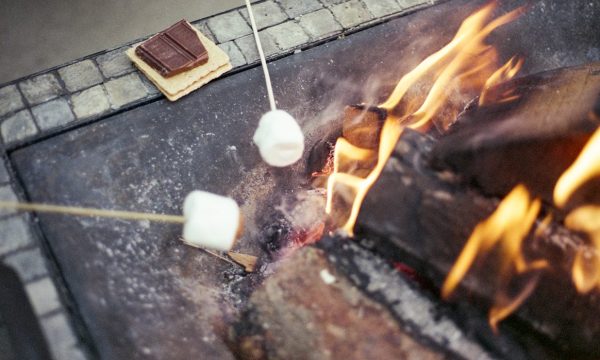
<point>59,336</point>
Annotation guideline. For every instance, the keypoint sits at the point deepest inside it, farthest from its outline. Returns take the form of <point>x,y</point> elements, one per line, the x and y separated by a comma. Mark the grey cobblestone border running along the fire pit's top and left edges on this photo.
<point>99,85</point>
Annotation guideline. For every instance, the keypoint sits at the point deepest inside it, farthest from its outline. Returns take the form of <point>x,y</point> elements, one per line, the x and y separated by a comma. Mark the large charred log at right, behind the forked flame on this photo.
<point>531,140</point>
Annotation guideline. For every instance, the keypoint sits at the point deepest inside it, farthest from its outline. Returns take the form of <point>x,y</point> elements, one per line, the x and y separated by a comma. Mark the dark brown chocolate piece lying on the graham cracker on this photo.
<point>174,50</point>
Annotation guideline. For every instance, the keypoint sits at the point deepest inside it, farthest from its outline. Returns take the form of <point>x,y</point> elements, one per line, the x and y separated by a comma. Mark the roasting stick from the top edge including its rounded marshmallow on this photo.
<point>278,137</point>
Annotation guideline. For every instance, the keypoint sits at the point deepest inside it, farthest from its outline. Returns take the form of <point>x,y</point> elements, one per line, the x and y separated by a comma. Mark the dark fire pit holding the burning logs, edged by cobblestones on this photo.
<point>141,293</point>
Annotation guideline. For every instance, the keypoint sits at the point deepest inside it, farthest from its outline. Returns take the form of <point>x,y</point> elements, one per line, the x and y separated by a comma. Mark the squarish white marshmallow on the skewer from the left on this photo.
<point>211,221</point>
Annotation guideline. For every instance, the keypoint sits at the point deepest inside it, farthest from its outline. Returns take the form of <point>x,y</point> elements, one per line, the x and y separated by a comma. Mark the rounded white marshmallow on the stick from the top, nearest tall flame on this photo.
<point>279,138</point>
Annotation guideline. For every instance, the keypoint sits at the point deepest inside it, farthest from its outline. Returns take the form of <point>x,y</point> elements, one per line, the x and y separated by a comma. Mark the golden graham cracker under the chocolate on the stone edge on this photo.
<point>182,84</point>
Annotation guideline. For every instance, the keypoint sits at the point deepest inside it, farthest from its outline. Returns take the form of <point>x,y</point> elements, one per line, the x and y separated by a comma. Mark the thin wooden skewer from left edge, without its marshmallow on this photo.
<point>91,212</point>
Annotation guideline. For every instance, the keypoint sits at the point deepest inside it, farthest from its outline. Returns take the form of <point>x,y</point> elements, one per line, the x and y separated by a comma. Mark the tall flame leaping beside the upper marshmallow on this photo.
<point>465,62</point>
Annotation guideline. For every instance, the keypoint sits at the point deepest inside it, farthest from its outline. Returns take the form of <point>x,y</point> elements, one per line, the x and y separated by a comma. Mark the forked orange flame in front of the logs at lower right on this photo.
<point>506,228</point>
